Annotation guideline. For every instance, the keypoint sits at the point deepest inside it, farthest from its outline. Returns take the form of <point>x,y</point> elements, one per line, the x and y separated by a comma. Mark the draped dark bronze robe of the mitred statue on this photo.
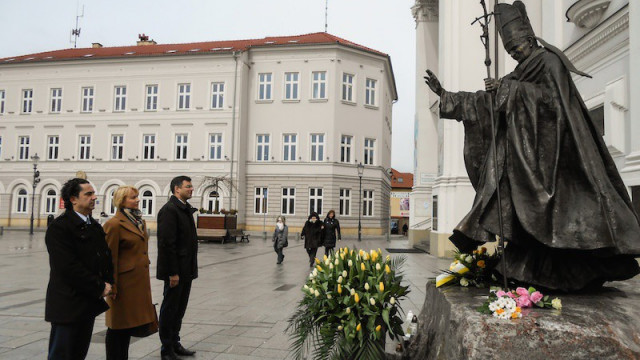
<point>568,219</point>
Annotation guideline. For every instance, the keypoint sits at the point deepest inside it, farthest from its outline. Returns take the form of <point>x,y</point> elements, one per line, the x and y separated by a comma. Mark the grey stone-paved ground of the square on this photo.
<point>238,308</point>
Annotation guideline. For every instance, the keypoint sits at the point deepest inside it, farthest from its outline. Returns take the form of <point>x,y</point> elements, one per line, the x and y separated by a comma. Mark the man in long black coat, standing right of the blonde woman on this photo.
<point>177,264</point>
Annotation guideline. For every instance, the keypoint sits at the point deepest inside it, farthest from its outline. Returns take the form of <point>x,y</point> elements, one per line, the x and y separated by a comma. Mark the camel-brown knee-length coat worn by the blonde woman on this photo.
<point>129,247</point>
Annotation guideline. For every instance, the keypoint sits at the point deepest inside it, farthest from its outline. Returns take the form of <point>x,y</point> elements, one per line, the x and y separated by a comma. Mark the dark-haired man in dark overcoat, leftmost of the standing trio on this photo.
<point>81,273</point>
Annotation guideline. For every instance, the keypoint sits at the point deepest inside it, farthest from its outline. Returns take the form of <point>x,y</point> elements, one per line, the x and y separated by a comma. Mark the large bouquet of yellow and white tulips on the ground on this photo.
<point>351,300</point>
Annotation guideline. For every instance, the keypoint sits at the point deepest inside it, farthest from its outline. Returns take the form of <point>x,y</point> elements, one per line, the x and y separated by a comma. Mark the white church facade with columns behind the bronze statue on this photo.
<point>600,37</point>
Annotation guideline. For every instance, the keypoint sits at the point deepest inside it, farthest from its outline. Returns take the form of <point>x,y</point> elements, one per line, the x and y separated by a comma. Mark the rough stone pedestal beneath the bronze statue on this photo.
<point>602,325</point>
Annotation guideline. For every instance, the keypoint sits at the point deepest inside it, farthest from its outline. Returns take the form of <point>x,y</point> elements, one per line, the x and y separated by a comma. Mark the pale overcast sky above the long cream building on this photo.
<point>29,26</point>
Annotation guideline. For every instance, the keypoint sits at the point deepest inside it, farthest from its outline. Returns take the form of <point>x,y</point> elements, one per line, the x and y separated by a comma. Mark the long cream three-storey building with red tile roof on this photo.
<point>281,122</point>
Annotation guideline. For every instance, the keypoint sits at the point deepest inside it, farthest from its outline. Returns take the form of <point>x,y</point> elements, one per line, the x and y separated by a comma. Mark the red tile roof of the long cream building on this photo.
<point>183,49</point>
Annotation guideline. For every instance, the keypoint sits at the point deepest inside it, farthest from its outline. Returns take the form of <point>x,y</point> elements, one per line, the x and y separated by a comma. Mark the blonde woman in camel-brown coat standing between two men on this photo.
<point>131,312</point>
